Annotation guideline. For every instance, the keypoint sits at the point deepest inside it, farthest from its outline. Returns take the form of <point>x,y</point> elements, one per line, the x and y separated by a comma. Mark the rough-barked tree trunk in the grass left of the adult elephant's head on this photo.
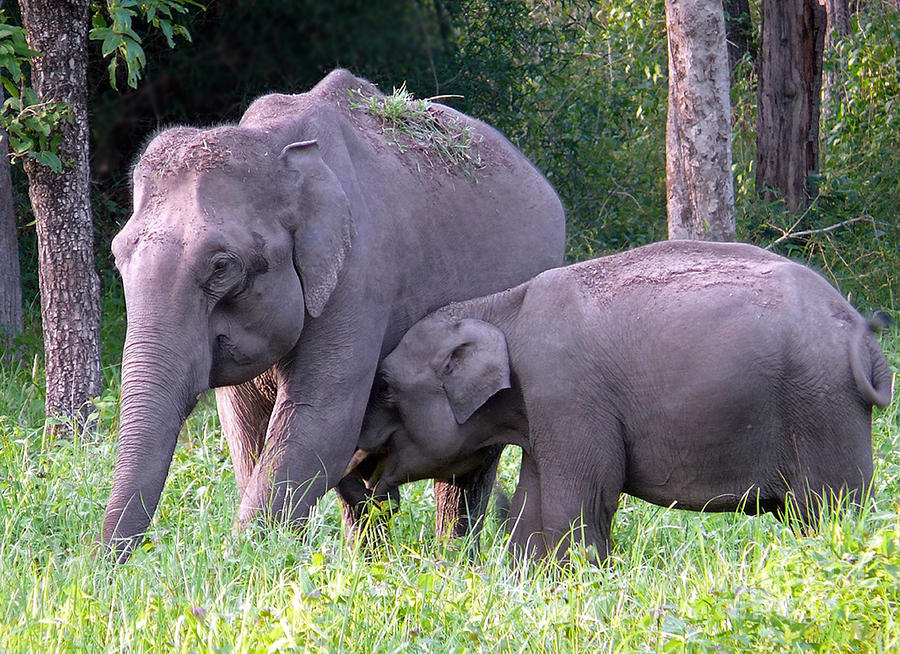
<point>70,302</point>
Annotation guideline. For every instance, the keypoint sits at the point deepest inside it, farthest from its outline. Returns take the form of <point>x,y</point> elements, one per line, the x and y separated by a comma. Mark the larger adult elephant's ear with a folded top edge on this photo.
<point>324,230</point>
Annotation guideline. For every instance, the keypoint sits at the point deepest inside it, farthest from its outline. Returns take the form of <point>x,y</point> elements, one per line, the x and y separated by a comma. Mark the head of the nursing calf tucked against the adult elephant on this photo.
<point>440,403</point>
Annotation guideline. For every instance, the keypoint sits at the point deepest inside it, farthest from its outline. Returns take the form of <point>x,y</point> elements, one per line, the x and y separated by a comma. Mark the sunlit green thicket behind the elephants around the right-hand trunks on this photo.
<point>581,88</point>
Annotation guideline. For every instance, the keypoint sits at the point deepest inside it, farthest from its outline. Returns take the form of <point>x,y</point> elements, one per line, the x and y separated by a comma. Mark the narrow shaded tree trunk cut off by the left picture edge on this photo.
<point>10,282</point>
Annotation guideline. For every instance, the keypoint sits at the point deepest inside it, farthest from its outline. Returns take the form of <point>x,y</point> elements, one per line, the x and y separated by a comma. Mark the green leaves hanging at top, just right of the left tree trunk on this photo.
<point>112,26</point>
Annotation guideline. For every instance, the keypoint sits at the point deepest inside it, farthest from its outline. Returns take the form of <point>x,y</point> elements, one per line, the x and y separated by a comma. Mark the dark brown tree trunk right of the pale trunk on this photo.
<point>790,84</point>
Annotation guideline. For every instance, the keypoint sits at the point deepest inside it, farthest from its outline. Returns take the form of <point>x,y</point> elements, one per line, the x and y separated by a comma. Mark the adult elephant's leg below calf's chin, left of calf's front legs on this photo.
<point>461,502</point>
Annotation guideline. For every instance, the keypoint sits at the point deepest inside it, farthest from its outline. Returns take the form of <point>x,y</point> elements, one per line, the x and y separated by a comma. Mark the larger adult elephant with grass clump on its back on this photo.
<point>277,261</point>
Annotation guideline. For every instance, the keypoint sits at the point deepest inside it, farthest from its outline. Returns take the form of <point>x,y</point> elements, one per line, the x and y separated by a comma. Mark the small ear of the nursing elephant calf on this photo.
<point>475,368</point>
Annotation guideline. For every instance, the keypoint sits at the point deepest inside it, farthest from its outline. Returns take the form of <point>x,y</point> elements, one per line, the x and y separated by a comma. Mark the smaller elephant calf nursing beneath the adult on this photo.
<point>713,376</point>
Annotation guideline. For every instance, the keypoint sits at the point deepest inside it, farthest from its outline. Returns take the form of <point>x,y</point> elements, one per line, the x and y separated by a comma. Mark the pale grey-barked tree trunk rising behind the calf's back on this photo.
<point>699,182</point>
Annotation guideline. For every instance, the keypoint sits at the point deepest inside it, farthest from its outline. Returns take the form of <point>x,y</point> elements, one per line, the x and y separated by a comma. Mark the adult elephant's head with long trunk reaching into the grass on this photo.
<point>233,239</point>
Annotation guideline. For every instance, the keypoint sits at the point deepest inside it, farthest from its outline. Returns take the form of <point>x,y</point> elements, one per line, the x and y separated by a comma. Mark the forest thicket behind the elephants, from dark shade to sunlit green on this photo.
<point>579,86</point>
